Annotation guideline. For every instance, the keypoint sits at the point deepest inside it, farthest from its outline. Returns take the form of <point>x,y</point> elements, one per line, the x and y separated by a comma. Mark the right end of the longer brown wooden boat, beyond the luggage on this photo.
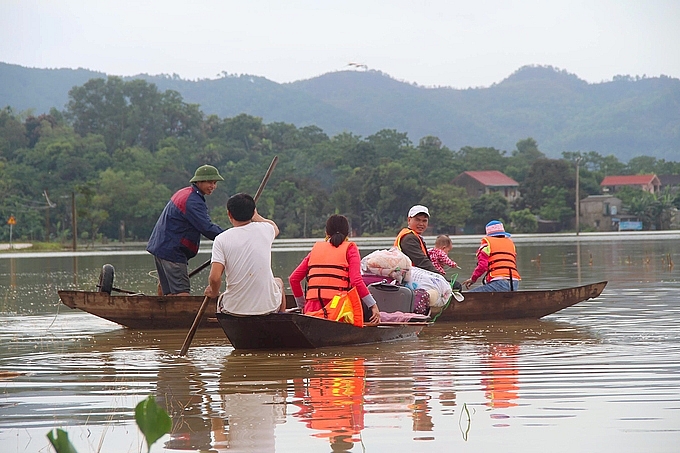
<point>517,304</point>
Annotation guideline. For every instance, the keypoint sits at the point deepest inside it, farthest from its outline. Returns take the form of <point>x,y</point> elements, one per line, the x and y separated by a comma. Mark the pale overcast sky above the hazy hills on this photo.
<point>433,43</point>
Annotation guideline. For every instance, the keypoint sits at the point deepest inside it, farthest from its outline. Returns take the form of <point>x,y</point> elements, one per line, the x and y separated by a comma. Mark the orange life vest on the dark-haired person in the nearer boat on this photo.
<point>328,270</point>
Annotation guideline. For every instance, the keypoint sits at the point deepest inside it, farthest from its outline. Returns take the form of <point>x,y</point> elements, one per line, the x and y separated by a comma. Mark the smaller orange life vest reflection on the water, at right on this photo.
<point>501,385</point>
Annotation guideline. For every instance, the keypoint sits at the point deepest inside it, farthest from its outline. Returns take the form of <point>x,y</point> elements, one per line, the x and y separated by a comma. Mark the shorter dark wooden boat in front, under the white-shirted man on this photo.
<point>296,331</point>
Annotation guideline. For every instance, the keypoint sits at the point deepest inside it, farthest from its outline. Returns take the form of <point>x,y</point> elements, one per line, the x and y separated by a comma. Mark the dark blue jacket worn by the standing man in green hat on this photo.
<point>177,234</point>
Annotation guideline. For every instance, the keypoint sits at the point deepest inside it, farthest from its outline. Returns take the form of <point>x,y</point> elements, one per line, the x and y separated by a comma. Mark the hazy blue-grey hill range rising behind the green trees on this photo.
<point>626,117</point>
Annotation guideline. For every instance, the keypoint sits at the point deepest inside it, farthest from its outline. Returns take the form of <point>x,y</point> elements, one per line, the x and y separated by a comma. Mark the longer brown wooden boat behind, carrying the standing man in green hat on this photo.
<point>138,311</point>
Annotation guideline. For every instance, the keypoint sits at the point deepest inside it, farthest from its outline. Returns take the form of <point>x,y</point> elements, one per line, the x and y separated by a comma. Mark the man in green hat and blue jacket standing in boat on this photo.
<point>177,234</point>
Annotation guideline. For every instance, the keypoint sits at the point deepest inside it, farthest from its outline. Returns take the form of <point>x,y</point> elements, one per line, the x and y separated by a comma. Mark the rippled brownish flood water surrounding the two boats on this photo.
<point>601,376</point>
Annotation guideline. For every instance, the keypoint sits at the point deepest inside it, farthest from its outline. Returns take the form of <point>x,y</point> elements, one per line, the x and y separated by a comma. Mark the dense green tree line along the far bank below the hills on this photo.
<point>121,148</point>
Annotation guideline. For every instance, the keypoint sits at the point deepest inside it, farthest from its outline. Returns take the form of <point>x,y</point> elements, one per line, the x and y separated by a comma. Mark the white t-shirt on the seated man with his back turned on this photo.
<point>245,252</point>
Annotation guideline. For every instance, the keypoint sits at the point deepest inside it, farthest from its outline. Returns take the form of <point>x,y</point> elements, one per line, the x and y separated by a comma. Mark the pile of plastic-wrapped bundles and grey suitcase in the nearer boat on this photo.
<point>400,287</point>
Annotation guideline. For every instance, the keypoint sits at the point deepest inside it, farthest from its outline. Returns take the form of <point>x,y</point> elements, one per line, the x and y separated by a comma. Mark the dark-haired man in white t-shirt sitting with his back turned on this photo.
<point>243,254</point>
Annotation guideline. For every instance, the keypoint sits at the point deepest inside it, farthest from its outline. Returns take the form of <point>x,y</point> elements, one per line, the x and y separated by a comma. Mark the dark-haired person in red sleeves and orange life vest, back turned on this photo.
<point>332,267</point>
